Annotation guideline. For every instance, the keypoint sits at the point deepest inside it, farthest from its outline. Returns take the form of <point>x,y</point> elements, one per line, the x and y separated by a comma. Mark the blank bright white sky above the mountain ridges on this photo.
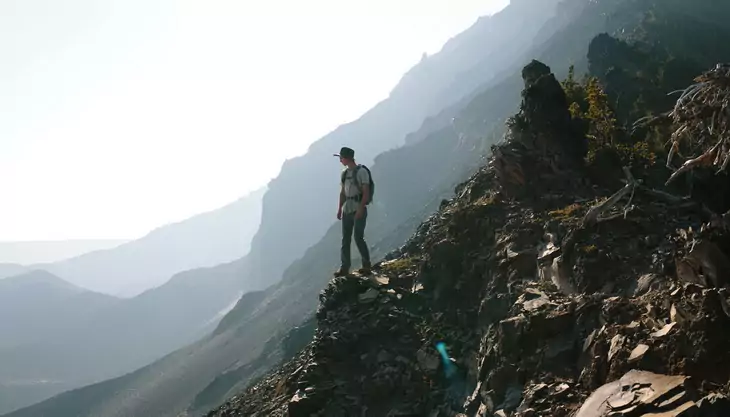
<point>119,116</point>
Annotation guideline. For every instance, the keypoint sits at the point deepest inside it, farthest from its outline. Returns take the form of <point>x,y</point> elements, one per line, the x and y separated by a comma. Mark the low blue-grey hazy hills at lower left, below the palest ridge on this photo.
<point>70,337</point>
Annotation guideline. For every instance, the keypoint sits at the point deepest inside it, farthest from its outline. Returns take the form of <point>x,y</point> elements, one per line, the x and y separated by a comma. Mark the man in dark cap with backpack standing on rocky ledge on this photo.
<point>355,194</point>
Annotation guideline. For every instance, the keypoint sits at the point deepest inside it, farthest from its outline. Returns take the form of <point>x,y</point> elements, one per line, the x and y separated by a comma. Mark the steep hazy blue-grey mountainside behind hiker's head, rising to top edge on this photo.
<point>422,92</point>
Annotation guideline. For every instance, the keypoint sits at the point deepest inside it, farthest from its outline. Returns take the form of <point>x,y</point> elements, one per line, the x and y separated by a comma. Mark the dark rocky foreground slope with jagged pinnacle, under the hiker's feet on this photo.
<point>533,292</point>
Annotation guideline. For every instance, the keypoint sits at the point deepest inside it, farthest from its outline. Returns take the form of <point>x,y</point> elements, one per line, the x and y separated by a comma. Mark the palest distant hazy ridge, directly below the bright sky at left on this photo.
<point>205,240</point>
